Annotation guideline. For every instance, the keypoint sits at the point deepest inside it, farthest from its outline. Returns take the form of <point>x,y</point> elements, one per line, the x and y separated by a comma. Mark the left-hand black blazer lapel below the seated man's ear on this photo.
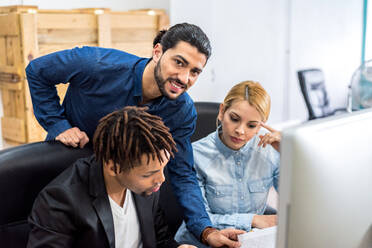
<point>101,202</point>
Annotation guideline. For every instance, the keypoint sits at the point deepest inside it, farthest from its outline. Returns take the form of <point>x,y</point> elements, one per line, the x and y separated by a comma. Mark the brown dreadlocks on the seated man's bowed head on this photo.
<point>126,134</point>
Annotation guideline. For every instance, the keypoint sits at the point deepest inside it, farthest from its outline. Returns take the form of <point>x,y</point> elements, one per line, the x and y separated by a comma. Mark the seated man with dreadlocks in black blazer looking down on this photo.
<point>109,199</point>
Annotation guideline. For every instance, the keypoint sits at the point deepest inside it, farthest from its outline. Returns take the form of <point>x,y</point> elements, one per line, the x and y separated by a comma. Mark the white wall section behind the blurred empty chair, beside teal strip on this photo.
<point>328,35</point>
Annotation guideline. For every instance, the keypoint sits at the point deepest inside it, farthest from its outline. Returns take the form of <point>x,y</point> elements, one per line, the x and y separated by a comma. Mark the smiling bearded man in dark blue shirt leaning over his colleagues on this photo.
<point>104,80</point>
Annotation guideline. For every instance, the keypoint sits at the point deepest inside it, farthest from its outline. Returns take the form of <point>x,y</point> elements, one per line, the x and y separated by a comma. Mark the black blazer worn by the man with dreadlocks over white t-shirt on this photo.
<point>74,211</point>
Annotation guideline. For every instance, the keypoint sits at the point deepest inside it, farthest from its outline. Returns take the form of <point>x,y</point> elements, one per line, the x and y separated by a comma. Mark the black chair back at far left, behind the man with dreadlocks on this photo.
<point>24,171</point>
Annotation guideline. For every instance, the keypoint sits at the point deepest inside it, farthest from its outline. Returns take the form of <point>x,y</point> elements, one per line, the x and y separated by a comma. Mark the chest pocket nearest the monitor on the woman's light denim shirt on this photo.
<point>258,194</point>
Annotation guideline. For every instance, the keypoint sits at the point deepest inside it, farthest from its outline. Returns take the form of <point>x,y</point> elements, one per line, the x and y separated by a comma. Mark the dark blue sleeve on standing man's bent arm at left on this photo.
<point>44,73</point>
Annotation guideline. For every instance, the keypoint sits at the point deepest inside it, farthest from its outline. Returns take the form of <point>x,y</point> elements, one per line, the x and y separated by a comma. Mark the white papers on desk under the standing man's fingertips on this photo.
<point>259,238</point>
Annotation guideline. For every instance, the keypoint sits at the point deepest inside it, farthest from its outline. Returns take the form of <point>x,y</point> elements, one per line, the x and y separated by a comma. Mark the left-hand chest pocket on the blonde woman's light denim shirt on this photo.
<point>219,198</point>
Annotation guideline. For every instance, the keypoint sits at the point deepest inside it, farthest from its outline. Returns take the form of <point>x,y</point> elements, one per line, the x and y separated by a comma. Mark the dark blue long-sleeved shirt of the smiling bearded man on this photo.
<point>102,81</point>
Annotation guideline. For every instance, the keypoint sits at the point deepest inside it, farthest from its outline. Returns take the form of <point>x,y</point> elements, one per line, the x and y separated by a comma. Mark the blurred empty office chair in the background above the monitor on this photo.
<point>315,94</point>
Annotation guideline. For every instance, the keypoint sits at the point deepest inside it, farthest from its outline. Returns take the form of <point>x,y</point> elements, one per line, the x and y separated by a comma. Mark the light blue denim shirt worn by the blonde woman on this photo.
<point>234,184</point>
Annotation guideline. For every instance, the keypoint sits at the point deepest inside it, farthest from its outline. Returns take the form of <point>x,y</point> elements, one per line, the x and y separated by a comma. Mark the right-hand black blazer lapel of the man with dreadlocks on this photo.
<point>145,218</point>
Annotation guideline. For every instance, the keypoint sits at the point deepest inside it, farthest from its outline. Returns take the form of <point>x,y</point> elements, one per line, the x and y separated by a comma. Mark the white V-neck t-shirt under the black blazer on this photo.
<point>126,224</point>
